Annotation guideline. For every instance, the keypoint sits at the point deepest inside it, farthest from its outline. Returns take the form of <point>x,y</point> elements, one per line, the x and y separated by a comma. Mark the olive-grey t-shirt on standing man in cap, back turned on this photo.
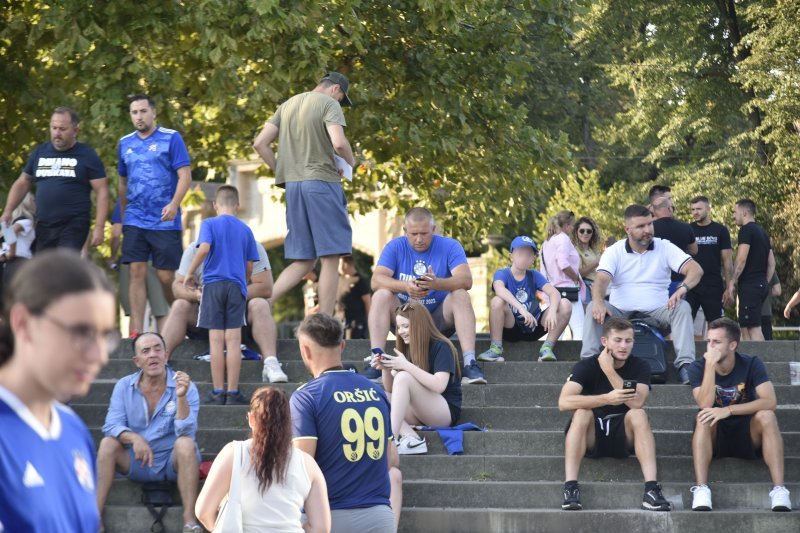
<point>305,151</point>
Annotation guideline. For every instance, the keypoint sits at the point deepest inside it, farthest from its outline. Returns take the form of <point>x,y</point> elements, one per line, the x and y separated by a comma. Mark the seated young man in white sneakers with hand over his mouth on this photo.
<point>737,413</point>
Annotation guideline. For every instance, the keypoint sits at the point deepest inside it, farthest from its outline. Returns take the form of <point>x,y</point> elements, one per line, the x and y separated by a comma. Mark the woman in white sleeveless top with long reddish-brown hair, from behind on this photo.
<point>276,479</point>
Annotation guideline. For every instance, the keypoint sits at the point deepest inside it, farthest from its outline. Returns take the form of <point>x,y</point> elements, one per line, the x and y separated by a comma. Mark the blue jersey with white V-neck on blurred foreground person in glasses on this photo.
<point>47,475</point>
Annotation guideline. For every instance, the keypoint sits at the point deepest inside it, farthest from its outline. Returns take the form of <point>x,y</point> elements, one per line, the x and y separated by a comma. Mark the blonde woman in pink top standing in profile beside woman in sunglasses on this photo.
<point>561,264</point>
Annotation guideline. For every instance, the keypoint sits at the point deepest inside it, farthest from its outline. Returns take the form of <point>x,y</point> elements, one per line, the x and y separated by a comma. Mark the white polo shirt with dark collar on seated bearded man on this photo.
<point>640,281</point>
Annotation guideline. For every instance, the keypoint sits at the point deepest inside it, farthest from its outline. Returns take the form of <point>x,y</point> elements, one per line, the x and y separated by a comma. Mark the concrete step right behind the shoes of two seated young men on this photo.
<point>594,495</point>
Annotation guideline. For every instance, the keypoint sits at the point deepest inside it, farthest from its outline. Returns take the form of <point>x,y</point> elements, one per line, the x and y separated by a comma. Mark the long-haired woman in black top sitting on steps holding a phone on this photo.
<point>422,377</point>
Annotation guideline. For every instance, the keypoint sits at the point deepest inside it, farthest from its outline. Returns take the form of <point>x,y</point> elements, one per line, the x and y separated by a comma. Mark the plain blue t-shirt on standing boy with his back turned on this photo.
<point>232,245</point>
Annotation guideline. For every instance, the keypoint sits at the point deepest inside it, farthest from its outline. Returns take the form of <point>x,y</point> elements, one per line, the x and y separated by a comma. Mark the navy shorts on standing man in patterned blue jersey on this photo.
<point>139,245</point>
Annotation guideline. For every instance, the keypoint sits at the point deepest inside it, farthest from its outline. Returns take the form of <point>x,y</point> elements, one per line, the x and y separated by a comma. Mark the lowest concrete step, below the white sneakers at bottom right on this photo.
<point>481,520</point>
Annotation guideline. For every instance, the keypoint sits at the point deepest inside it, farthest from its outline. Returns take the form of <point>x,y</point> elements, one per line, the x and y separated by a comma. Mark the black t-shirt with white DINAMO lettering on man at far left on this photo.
<point>62,181</point>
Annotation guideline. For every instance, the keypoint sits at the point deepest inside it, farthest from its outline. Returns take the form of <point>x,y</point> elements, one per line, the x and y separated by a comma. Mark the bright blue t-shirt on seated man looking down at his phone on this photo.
<point>443,255</point>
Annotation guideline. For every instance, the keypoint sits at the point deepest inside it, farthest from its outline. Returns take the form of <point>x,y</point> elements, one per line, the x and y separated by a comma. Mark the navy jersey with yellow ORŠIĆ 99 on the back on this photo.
<point>348,416</point>
